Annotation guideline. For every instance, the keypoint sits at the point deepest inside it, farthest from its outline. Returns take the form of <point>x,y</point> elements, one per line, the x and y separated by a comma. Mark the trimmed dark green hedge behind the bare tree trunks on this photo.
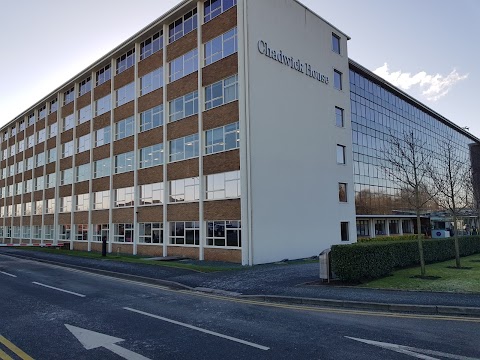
<point>371,260</point>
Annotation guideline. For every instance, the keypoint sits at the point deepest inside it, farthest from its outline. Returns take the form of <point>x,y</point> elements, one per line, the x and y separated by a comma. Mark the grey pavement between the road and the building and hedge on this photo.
<point>281,283</point>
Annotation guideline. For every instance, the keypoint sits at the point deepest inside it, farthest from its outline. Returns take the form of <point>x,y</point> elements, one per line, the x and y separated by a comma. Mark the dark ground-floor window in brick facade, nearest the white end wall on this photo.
<point>224,233</point>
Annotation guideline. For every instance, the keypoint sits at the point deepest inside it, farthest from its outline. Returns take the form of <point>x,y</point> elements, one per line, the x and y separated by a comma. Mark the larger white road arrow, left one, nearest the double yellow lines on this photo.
<point>92,340</point>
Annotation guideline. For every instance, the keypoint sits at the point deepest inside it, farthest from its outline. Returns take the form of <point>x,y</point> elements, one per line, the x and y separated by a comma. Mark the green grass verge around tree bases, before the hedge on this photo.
<point>450,279</point>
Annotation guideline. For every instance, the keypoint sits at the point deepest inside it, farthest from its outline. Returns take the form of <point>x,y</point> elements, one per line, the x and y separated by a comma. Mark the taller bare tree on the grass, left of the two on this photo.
<point>407,164</point>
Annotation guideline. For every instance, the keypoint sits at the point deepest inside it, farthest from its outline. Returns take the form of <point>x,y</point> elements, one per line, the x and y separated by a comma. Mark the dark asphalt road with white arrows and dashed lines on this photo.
<point>49,312</point>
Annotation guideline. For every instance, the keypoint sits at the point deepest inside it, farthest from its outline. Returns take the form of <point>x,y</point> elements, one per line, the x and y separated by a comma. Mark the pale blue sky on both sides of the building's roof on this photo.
<point>427,48</point>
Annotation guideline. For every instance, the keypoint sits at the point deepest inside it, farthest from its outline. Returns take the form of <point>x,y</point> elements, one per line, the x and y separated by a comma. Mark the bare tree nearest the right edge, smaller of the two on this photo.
<point>449,178</point>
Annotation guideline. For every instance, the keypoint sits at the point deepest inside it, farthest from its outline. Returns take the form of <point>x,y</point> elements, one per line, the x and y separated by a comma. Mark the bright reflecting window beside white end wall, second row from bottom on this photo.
<point>223,186</point>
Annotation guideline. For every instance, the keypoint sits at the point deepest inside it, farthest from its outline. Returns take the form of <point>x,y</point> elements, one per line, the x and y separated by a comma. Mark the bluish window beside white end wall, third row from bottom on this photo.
<point>222,139</point>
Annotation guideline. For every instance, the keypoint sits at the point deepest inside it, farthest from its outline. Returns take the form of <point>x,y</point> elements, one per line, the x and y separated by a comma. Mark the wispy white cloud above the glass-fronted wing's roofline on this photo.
<point>434,86</point>
